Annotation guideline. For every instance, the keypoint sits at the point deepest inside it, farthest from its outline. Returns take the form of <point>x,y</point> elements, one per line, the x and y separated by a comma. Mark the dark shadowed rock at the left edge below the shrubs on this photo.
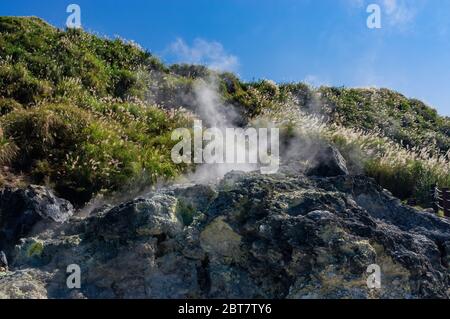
<point>23,211</point>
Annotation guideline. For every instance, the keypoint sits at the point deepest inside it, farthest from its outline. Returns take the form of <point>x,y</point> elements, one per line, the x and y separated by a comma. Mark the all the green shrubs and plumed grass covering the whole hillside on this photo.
<point>88,115</point>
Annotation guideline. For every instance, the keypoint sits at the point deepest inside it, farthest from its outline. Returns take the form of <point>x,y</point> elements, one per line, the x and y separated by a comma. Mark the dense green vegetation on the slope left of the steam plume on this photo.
<point>72,111</point>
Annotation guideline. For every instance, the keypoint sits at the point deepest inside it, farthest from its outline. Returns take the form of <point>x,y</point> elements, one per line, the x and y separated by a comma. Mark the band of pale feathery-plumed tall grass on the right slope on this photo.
<point>406,172</point>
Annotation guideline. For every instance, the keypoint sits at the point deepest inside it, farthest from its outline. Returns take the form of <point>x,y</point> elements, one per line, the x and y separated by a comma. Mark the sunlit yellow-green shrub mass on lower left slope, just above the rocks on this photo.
<point>83,153</point>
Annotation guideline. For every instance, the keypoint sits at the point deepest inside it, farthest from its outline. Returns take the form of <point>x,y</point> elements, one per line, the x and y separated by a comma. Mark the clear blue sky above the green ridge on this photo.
<point>317,41</point>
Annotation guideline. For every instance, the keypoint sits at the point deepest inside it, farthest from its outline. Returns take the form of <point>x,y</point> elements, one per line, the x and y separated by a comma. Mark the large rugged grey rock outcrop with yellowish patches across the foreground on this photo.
<point>250,236</point>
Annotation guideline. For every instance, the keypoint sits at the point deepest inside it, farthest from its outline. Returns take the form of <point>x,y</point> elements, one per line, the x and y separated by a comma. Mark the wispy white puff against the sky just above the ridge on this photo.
<point>211,54</point>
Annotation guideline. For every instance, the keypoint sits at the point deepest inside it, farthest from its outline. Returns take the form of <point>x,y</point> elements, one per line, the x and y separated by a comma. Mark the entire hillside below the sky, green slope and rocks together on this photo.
<point>87,179</point>
